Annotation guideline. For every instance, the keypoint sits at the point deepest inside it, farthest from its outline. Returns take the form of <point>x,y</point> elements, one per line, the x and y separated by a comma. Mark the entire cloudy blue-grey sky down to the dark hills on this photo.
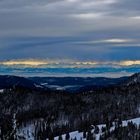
<point>70,37</point>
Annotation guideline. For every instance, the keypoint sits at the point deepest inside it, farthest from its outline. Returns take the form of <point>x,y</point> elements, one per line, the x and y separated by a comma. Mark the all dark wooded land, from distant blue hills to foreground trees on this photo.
<point>28,107</point>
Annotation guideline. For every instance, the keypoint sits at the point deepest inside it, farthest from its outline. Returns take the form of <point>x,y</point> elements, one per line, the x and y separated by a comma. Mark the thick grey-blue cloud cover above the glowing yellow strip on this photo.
<point>54,29</point>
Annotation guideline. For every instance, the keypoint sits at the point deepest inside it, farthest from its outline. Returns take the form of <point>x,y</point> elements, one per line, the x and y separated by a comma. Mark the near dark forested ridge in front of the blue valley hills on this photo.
<point>54,113</point>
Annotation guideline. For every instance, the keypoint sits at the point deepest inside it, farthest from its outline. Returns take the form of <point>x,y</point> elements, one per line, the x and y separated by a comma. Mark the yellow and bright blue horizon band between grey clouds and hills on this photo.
<point>69,68</point>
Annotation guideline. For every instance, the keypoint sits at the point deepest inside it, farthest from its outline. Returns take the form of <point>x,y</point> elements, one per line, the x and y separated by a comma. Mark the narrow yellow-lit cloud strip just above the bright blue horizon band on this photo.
<point>68,63</point>
